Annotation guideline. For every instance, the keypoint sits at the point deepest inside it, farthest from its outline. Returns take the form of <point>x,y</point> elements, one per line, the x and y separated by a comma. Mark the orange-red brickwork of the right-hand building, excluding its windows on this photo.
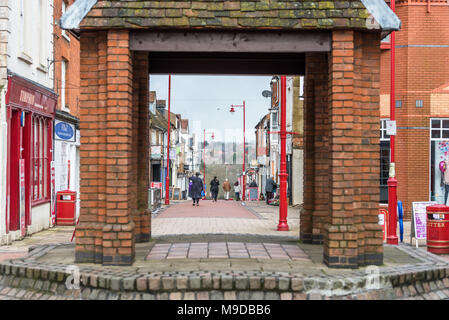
<point>419,70</point>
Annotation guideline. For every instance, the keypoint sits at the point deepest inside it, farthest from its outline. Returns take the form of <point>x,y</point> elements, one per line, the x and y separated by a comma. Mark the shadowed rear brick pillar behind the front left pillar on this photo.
<point>142,215</point>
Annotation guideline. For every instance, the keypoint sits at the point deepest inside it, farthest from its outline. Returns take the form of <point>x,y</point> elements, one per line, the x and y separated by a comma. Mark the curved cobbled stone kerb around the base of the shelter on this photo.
<point>108,283</point>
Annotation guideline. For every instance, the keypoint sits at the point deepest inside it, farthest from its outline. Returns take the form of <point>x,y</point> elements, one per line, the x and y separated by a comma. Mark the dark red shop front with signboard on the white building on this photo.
<point>30,114</point>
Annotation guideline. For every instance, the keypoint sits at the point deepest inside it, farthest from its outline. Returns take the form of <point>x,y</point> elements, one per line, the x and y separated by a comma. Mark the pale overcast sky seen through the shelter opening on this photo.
<point>206,100</point>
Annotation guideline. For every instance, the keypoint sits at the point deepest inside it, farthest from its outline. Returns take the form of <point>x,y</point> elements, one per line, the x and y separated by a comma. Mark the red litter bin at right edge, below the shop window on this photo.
<point>438,229</point>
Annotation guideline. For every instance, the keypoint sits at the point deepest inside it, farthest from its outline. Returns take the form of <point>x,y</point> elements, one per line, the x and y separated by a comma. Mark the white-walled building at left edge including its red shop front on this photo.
<point>27,114</point>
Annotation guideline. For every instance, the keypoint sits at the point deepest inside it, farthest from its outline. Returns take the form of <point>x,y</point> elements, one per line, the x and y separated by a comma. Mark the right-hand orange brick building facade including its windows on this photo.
<point>421,102</point>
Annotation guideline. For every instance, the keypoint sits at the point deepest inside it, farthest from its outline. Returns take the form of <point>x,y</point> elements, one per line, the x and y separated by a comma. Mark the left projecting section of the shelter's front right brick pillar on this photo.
<point>340,237</point>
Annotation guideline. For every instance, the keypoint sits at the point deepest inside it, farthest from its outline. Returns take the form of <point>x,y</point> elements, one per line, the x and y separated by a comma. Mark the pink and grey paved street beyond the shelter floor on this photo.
<point>223,217</point>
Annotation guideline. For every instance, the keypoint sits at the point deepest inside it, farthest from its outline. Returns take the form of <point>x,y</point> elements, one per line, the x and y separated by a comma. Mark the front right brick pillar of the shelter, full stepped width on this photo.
<point>352,235</point>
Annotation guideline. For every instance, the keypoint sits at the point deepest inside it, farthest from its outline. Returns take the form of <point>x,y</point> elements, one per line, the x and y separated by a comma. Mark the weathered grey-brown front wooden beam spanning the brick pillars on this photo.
<point>229,41</point>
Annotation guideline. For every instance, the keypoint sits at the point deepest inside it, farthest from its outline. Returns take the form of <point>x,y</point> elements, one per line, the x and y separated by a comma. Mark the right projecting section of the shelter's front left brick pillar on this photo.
<point>118,237</point>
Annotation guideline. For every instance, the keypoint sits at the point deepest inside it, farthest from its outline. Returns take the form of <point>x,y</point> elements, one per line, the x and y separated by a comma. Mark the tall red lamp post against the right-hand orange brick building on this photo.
<point>392,237</point>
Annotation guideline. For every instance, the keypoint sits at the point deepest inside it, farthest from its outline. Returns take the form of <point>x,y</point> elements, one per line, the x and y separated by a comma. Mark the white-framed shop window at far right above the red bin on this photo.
<point>439,160</point>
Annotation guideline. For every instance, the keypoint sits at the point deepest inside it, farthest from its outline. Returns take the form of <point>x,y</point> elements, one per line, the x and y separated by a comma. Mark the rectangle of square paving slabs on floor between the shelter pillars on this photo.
<point>226,250</point>
